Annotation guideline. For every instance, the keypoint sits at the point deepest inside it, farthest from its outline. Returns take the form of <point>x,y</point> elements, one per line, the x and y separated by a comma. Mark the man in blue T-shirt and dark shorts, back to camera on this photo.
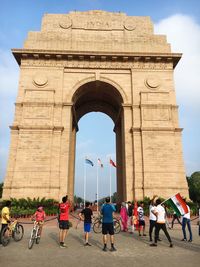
<point>107,224</point>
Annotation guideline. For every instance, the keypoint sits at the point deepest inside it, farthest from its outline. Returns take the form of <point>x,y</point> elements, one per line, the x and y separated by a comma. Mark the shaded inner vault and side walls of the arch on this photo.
<point>98,96</point>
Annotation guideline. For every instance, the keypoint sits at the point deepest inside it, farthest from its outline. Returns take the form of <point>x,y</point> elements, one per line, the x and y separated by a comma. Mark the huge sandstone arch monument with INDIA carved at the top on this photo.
<point>91,61</point>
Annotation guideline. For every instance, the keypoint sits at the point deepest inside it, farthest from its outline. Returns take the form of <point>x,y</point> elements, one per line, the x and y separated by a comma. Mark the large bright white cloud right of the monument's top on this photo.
<point>183,33</point>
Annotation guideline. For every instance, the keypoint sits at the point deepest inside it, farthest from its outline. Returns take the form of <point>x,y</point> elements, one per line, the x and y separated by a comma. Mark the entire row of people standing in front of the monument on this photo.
<point>157,220</point>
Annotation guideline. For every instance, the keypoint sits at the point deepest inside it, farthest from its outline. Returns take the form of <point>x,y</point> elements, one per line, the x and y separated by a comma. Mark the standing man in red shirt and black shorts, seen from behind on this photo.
<point>64,209</point>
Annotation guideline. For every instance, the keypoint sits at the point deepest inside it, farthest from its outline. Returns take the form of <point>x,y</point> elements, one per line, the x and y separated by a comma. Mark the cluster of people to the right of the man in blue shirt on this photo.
<point>157,220</point>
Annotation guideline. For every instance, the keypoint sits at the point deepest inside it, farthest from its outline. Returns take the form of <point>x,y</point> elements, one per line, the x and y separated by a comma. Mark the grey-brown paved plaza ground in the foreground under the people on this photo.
<point>132,250</point>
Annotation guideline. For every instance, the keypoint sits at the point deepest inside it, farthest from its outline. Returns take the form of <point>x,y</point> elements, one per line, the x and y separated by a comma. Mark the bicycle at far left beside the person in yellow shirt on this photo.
<point>14,230</point>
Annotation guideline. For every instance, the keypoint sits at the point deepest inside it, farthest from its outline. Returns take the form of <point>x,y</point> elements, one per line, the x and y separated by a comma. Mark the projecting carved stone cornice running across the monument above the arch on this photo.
<point>126,60</point>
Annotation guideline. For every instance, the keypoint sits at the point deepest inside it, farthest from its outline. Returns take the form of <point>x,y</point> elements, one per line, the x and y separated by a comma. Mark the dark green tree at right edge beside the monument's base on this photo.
<point>194,187</point>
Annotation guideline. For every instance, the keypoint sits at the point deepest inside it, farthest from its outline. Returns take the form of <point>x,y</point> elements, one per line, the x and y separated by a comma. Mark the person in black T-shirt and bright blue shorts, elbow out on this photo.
<point>86,216</point>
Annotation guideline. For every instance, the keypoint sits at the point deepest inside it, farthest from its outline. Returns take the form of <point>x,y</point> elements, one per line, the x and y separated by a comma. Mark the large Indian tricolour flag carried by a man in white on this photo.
<point>178,204</point>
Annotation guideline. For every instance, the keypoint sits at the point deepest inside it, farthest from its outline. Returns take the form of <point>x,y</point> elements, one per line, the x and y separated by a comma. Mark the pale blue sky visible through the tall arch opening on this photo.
<point>95,144</point>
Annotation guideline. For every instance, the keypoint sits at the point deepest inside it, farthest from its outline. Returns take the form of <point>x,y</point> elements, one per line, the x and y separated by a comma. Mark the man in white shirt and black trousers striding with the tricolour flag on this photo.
<point>159,212</point>
